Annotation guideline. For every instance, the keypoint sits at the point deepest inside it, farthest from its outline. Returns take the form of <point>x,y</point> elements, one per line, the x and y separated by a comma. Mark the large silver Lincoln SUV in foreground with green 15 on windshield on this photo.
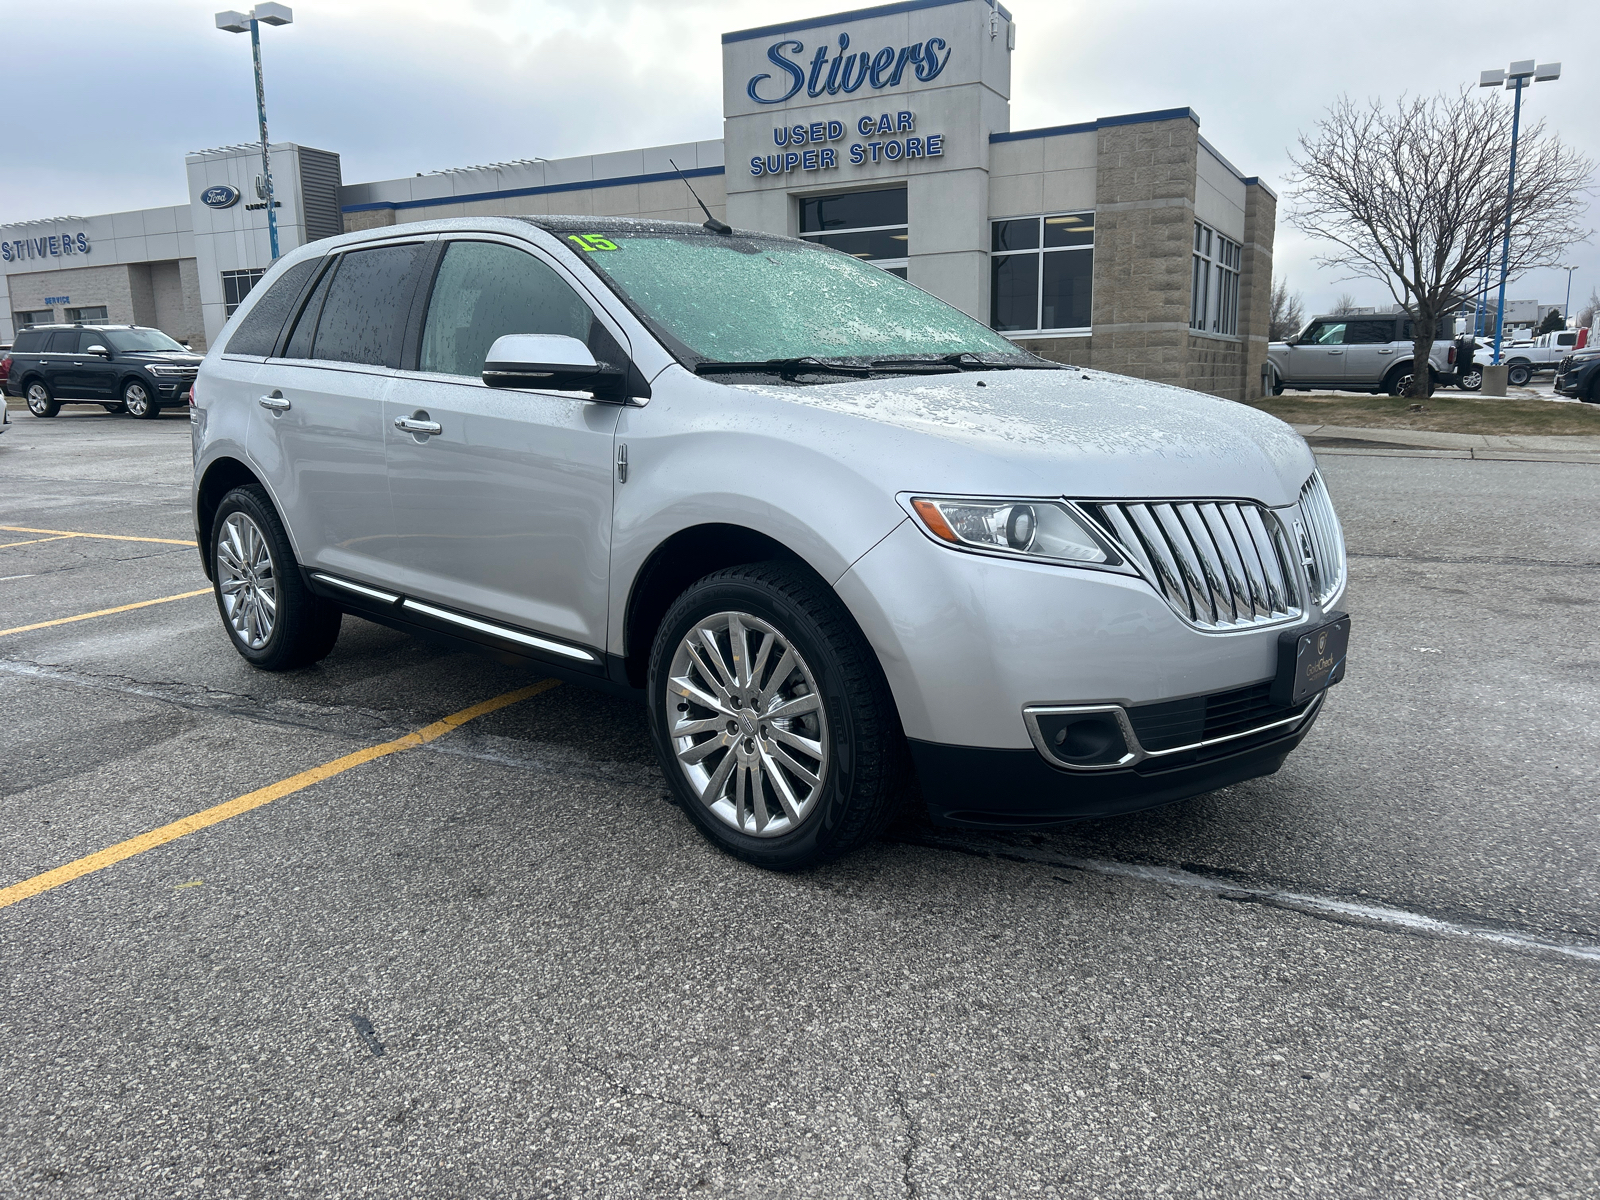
<point>844,542</point>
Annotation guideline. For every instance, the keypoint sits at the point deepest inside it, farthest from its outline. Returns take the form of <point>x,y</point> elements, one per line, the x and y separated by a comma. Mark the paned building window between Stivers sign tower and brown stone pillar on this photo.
<point>1041,271</point>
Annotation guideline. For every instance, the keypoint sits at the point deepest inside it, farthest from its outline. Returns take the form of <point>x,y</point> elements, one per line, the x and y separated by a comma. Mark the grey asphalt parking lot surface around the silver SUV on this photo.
<point>500,964</point>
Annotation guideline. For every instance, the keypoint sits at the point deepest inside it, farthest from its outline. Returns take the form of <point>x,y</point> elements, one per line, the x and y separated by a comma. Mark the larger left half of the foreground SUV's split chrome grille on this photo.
<point>1218,564</point>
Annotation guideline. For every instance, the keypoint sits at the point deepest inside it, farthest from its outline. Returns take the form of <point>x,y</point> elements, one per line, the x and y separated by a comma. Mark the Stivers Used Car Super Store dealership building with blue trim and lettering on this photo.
<point>1127,244</point>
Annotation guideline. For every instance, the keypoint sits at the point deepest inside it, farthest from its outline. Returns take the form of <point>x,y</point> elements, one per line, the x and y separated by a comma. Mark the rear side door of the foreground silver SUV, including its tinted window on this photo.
<point>318,422</point>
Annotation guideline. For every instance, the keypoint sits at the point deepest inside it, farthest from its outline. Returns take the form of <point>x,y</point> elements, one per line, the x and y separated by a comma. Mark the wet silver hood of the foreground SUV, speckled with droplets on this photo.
<point>1086,434</point>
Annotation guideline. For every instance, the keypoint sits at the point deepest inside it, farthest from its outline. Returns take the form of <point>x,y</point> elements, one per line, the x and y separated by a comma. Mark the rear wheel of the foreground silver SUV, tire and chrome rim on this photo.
<point>274,622</point>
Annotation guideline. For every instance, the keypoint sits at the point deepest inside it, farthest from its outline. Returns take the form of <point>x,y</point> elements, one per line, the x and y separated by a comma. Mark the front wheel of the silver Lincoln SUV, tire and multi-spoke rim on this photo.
<point>774,722</point>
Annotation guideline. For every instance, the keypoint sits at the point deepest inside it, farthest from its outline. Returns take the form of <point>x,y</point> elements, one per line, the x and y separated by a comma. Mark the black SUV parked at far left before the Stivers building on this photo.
<point>122,367</point>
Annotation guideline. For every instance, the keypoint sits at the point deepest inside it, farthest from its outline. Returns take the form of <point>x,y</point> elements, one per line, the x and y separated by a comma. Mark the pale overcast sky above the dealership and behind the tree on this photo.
<point>106,97</point>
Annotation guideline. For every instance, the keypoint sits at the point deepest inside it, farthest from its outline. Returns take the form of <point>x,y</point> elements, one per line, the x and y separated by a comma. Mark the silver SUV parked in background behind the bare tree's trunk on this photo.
<point>1364,354</point>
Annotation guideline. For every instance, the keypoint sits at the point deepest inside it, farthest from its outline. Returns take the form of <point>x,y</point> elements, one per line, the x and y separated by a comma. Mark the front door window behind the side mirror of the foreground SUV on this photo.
<point>487,290</point>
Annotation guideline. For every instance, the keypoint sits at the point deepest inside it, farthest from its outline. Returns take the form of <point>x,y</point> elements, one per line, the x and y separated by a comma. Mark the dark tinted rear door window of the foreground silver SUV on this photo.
<point>367,306</point>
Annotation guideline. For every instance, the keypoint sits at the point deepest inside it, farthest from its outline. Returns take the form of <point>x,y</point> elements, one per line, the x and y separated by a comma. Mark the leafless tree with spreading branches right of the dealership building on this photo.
<point>1415,198</point>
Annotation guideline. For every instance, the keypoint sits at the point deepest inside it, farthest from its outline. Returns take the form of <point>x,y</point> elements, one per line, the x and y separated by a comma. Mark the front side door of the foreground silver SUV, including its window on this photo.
<point>506,510</point>
